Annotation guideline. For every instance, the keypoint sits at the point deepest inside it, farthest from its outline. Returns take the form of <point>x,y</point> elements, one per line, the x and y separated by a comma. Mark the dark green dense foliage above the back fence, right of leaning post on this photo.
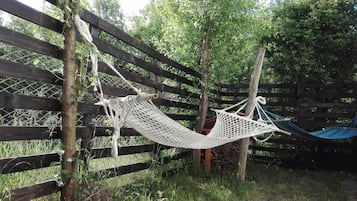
<point>313,41</point>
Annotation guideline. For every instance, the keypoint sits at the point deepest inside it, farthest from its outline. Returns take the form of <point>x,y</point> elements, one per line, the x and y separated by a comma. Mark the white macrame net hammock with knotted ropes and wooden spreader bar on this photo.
<point>139,112</point>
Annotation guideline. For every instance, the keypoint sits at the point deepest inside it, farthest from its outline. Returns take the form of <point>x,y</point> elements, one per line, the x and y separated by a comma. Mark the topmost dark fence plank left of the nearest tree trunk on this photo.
<point>30,14</point>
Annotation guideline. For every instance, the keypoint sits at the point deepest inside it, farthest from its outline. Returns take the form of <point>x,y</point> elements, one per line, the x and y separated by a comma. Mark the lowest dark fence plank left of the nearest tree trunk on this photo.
<point>34,191</point>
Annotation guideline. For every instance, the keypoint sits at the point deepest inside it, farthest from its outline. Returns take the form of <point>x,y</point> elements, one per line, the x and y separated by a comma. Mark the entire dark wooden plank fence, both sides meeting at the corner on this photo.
<point>311,106</point>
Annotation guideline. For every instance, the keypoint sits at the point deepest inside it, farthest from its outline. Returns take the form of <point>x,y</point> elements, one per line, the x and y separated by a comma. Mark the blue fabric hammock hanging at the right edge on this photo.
<point>337,132</point>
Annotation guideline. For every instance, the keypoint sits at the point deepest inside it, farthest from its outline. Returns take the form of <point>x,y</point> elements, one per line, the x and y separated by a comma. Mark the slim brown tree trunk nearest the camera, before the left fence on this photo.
<point>69,105</point>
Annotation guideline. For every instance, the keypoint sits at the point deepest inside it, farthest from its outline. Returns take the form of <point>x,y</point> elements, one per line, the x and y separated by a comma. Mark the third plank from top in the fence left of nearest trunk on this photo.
<point>10,69</point>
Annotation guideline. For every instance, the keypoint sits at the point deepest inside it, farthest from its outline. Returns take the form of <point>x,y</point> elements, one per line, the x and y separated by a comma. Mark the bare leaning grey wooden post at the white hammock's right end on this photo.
<point>253,90</point>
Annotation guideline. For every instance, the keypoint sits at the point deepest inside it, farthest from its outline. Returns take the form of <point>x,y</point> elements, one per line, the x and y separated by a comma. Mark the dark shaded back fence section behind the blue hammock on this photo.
<point>312,107</point>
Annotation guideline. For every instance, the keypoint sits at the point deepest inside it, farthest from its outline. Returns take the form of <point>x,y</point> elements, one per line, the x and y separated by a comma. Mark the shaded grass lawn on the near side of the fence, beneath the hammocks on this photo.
<point>262,183</point>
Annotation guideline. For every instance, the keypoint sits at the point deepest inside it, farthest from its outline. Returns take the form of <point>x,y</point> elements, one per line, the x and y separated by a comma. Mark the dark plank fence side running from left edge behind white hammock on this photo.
<point>149,70</point>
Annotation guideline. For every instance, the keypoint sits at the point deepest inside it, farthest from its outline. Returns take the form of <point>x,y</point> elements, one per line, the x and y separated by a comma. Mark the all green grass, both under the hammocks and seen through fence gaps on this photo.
<point>262,183</point>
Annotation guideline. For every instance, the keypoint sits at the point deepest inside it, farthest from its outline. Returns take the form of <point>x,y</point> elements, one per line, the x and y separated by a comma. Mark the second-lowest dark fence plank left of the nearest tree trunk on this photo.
<point>19,164</point>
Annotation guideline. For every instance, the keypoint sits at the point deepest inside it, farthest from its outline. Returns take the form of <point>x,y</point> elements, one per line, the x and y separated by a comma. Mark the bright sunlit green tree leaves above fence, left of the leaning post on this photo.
<point>177,29</point>
